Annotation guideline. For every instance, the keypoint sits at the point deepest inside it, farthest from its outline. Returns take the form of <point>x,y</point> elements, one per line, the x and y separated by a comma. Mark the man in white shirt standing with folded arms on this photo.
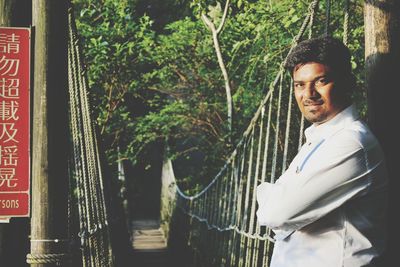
<point>328,208</point>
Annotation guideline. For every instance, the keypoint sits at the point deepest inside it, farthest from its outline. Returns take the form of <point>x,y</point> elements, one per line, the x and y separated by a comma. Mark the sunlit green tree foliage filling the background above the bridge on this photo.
<point>150,86</point>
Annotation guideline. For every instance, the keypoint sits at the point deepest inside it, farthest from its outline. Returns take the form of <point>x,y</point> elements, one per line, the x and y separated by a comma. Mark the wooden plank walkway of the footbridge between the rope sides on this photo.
<point>149,244</point>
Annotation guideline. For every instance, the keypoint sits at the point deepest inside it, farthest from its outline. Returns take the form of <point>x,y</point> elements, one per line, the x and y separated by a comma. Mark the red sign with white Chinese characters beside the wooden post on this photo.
<point>14,122</point>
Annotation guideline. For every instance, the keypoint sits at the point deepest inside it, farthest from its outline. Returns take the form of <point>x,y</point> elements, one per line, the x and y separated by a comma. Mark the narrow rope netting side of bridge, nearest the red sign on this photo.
<point>85,165</point>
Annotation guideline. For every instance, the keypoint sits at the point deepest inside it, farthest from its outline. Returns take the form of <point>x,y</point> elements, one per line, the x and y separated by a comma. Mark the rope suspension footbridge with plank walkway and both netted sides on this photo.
<point>216,226</point>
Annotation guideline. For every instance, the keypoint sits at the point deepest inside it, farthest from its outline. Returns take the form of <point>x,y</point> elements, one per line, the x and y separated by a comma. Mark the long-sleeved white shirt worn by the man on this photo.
<point>328,208</point>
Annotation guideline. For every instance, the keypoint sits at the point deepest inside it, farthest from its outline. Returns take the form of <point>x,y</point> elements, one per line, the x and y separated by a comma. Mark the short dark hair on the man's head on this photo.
<point>325,50</point>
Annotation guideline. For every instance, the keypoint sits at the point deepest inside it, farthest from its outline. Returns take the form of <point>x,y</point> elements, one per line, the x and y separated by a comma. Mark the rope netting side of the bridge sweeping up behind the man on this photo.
<point>224,230</point>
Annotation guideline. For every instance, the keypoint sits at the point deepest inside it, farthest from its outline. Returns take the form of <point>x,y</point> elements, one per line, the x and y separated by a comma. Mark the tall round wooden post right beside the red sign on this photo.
<point>49,222</point>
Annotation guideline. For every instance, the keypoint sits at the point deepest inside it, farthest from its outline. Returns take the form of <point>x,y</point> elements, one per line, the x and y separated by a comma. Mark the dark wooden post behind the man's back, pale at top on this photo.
<point>382,63</point>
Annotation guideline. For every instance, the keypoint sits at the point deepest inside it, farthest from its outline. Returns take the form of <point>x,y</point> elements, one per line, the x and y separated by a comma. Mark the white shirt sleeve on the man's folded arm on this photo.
<point>335,173</point>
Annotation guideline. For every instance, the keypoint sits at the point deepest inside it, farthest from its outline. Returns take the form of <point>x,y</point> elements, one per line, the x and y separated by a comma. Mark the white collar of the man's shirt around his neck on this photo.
<point>343,118</point>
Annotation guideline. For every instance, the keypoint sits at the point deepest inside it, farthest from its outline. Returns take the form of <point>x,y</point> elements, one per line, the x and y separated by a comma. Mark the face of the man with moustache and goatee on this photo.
<point>316,95</point>
